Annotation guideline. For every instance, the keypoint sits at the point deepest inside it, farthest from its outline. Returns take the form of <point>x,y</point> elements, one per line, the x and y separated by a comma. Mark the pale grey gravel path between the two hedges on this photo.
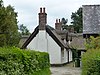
<point>65,70</point>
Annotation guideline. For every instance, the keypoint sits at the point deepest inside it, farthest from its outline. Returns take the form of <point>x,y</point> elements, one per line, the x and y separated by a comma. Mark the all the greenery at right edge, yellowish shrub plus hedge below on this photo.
<point>91,59</point>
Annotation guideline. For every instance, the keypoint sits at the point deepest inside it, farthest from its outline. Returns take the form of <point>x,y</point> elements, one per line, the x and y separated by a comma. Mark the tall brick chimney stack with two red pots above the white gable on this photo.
<point>42,19</point>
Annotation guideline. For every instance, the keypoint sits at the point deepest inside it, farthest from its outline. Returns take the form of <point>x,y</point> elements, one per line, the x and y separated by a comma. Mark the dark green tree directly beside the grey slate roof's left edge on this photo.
<point>77,20</point>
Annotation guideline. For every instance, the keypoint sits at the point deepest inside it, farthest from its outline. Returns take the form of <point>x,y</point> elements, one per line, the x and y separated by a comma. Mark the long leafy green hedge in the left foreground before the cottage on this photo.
<point>14,61</point>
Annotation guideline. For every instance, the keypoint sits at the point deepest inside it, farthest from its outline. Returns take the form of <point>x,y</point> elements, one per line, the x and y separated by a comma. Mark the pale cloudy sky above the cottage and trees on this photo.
<point>56,9</point>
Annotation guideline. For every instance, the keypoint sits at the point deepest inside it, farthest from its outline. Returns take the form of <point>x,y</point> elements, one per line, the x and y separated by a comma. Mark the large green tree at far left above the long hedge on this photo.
<point>8,24</point>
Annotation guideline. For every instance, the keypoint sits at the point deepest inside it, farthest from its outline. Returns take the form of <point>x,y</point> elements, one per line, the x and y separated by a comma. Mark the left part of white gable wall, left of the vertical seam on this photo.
<point>39,43</point>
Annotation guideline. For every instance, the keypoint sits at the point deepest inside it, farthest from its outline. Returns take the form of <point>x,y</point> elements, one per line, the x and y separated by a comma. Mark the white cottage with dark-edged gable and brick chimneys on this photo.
<point>47,39</point>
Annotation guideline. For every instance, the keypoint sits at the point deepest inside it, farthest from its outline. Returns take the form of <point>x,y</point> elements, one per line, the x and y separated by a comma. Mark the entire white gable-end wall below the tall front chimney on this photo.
<point>44,43</point>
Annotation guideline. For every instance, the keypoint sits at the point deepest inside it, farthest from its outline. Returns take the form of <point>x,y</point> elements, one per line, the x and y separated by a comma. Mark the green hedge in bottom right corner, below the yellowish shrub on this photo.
<point>91,62</point>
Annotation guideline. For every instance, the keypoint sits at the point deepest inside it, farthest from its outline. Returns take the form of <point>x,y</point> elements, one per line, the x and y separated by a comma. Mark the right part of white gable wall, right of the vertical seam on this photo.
<point>54,51</point>
